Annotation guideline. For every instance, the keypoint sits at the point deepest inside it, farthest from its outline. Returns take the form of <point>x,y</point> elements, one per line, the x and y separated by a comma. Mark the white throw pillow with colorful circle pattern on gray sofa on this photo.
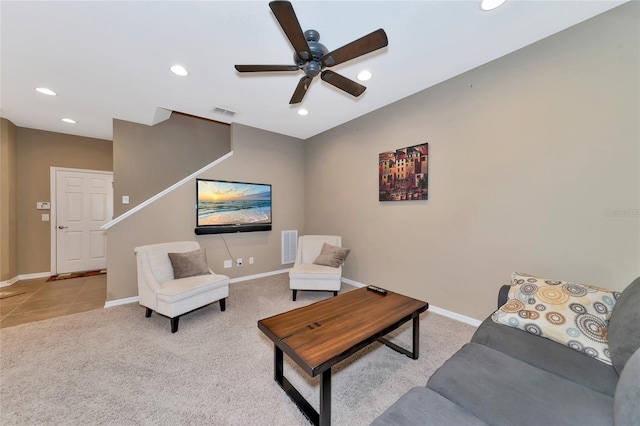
<point>575,315</point>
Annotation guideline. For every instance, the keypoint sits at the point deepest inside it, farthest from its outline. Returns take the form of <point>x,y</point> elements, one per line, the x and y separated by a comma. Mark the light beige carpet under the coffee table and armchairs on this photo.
<point>116,367</point>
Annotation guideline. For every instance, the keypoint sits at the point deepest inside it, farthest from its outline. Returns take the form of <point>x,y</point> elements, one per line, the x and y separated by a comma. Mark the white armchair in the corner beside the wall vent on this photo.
<point>306,275</point>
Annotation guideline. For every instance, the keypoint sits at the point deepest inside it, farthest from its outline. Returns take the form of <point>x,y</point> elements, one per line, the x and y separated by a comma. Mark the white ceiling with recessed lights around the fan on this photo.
<point>111,60</point>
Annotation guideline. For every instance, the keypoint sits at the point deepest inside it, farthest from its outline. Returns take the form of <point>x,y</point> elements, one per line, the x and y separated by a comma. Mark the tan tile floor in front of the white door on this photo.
<point>43,300</point>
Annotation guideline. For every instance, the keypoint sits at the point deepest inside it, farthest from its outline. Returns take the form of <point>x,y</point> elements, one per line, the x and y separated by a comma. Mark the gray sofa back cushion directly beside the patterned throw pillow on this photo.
<point>624,332</point>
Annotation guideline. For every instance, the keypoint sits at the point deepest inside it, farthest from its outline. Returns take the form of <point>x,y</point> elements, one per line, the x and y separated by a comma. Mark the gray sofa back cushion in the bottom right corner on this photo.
<point>625,407</point>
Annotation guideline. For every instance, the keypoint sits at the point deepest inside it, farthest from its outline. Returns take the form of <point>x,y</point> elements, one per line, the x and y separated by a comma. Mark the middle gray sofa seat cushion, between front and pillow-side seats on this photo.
<point>502,390</point>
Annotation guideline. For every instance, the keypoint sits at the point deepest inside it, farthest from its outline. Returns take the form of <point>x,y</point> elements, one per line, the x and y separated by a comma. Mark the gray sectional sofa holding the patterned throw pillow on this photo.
<point>506,376</point>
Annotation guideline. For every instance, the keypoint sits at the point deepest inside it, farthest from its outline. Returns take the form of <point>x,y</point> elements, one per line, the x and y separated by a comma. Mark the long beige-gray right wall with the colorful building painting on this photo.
<point>529,156</point>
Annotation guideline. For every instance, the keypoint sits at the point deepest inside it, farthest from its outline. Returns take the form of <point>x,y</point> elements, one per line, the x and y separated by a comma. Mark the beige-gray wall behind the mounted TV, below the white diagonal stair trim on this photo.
<point>258,157</point>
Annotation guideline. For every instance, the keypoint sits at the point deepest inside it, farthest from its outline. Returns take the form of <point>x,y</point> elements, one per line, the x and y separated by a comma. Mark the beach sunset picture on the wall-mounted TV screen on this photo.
<point>230,203</point>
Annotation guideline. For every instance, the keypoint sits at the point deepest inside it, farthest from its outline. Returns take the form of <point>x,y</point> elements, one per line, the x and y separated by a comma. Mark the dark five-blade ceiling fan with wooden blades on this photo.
<point>312,57</point>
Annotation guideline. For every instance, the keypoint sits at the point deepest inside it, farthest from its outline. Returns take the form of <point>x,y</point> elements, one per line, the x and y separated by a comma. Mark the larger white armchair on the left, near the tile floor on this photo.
<point>160,291</point>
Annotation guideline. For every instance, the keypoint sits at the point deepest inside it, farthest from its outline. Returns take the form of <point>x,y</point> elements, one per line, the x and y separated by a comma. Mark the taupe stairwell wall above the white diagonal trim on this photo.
<point>149,159</point>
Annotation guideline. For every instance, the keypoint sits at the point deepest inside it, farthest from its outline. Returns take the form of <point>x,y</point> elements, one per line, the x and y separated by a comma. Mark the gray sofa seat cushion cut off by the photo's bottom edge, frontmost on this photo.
<point>421,406</point>
